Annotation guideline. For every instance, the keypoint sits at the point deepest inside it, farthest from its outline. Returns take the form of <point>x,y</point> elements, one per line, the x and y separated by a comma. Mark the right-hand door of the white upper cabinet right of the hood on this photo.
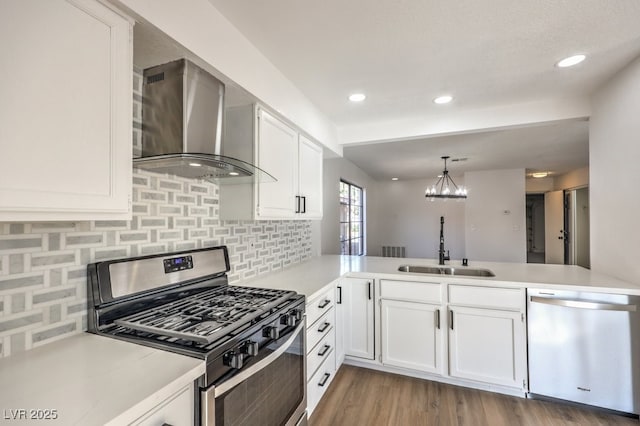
<point>310,179</point>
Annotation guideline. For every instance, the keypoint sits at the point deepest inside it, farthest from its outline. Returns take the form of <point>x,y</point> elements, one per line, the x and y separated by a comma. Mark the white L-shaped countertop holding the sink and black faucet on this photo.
<point>311,276</point>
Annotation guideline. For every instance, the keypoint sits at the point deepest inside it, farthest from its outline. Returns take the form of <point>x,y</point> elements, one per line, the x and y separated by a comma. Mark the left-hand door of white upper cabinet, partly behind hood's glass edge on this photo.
<point>277,155</point>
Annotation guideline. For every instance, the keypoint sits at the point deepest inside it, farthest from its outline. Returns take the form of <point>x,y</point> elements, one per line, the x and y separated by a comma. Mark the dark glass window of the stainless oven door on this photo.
<point>268,397</point>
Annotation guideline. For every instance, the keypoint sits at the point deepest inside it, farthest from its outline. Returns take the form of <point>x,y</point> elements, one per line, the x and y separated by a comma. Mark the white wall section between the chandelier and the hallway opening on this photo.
<point>492,234</point>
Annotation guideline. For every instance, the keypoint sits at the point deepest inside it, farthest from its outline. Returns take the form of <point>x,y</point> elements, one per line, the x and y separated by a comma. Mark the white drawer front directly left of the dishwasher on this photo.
<point>486,297</point>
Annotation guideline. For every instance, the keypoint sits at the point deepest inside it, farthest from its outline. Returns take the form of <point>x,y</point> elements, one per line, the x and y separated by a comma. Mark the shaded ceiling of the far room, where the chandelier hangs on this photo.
<point>558,147</point>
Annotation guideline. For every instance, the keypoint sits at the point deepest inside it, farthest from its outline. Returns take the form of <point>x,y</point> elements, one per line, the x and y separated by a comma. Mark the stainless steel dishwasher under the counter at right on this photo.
<point>584,347</point>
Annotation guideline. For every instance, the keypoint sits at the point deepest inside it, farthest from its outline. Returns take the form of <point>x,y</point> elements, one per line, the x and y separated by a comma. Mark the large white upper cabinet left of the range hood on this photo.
<point>65,111</point>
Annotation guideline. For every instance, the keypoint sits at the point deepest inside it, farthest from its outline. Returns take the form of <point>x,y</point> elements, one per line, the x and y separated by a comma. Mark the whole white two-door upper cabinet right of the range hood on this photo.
<point>280,150</point>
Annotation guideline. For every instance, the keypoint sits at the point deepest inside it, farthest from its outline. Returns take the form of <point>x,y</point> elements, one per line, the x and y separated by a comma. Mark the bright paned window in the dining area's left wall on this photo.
<point>351,219</point>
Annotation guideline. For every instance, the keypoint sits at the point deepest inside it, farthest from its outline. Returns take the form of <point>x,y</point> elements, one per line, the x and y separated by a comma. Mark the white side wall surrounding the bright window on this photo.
<point>334,170</point>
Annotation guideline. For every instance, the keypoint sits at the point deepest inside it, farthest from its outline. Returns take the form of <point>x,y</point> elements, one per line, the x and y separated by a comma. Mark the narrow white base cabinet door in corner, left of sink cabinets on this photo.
<point>358,320</point>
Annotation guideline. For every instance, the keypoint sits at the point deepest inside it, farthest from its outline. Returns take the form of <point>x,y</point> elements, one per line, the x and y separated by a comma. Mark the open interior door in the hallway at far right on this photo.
<point>554,227</point>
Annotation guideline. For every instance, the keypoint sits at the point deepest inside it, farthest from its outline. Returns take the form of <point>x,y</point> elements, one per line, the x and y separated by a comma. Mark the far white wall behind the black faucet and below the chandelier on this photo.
<point>410,220</point>
